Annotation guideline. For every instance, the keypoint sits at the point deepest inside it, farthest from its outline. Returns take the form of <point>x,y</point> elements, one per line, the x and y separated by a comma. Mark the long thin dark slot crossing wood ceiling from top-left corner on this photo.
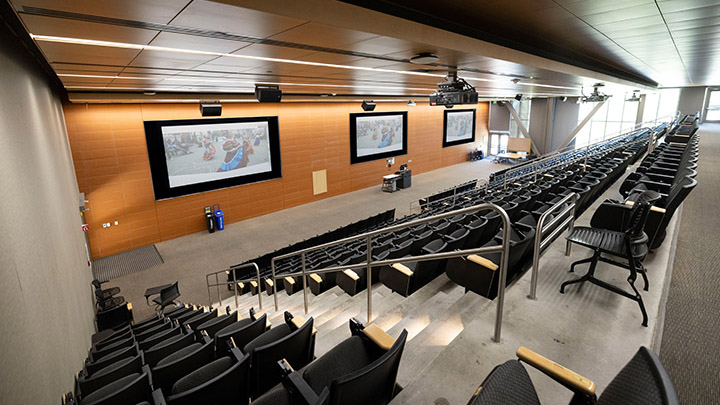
<point>232,37</point>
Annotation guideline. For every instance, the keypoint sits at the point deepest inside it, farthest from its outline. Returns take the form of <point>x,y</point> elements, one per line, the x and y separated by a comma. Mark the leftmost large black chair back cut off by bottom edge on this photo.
<point>131,389</point>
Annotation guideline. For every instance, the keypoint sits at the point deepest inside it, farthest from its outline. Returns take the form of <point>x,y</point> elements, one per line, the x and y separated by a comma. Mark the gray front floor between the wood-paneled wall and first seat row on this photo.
<point>188,259</point>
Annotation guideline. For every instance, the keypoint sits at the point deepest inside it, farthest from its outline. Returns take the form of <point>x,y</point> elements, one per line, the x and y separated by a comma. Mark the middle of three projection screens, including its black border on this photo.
<point>377,135</point>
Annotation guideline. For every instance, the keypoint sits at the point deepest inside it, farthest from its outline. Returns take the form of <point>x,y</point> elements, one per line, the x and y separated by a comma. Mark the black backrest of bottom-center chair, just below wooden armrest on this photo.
<point>373,384</point>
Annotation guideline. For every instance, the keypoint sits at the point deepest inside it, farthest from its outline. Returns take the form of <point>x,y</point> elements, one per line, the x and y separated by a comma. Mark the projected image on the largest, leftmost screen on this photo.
<point>200,153</point>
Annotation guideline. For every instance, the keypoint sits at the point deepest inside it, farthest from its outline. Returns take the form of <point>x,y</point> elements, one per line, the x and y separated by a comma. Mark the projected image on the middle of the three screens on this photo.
<point>379,134</point>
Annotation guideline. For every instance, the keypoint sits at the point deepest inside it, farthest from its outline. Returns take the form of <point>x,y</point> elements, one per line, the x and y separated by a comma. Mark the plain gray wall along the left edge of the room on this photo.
<point>45,295</point>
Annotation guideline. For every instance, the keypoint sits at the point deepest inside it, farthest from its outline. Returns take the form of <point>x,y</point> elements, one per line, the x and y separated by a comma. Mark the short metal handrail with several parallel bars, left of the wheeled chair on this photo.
<point>541,242</point>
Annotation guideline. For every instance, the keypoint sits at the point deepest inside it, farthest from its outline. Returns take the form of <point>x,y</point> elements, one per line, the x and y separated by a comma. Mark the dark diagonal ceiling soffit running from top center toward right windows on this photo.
<point>568,57</point>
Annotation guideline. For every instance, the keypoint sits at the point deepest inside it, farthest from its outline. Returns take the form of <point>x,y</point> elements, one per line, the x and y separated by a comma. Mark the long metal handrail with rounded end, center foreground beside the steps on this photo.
<point>504,249</point>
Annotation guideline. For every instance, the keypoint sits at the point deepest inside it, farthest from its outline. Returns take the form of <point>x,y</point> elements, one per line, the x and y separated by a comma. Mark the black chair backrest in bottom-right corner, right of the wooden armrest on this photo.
<point>643,380</point>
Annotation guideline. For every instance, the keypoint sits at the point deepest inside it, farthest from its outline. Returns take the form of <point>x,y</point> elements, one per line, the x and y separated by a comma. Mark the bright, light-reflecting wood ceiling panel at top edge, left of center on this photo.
<point>235,20</point>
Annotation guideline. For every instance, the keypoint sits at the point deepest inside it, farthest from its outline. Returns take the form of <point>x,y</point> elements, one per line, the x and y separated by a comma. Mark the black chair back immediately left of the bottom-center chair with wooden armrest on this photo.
<point>296,348</point>
